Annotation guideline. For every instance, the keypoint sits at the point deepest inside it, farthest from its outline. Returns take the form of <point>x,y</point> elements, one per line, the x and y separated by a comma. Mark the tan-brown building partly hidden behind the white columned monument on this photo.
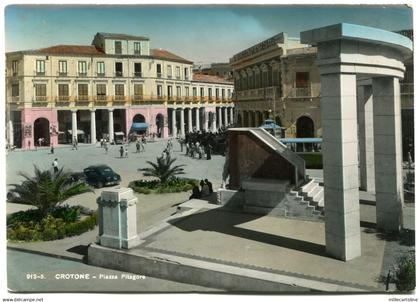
<point>279,78</point>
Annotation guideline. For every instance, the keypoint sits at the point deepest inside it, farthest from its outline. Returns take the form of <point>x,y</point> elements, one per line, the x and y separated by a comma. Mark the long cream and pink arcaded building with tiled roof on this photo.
<point>117,84</point>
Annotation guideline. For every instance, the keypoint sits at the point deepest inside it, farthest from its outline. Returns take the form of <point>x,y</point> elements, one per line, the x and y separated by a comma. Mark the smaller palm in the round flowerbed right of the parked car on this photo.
<point>162,169</point>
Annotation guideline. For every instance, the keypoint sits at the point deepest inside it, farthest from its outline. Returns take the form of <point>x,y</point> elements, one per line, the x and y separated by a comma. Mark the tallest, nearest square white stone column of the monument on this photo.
<point>341,171</point>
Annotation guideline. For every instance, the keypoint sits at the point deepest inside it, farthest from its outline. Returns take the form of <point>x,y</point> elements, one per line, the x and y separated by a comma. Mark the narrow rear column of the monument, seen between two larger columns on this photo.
<point>366,148</point>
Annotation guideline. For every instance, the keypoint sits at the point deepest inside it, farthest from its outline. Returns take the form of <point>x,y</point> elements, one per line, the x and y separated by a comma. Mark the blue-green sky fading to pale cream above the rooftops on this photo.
<point>202,34</point>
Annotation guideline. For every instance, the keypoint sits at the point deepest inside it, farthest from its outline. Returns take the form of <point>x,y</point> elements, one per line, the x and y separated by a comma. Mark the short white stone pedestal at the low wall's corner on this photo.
<point>118,218</point>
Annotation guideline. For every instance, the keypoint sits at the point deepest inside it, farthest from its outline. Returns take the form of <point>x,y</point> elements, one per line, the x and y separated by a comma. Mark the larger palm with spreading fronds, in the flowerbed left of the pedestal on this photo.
<point>46,189</point>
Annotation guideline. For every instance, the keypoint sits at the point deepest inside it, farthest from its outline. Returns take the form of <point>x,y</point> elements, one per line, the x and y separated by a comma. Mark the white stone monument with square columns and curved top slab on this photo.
<point>349,56</point>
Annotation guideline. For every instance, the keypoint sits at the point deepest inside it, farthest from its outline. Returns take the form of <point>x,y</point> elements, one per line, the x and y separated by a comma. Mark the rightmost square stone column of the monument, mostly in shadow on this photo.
<point>388,157</point>
